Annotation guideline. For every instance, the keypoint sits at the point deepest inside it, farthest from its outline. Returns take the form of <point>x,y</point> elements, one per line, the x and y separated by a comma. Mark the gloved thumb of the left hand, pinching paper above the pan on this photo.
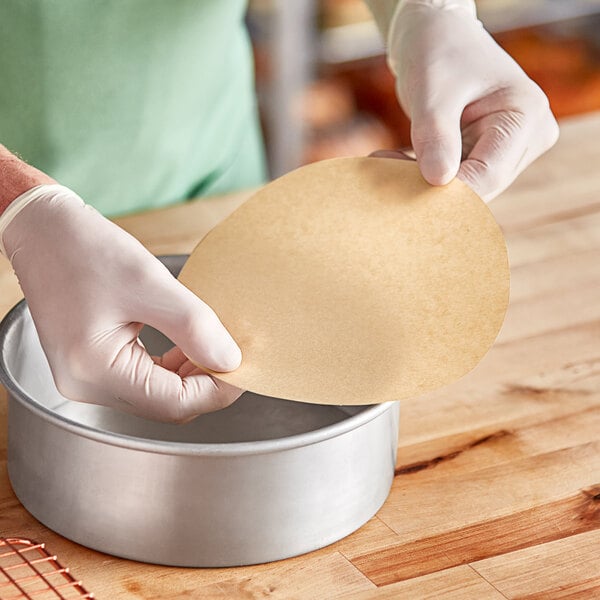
<point>191,324</point>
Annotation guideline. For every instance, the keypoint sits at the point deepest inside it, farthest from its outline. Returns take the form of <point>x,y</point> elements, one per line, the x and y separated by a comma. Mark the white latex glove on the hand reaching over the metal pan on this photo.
<point>90,286</point>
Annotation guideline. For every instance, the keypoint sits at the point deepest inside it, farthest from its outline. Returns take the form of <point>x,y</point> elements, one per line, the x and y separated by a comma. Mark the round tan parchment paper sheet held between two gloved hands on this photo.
<point>353,281</point>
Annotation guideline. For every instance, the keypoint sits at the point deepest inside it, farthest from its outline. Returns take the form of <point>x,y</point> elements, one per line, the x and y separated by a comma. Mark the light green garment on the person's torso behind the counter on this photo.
<point>131,103</point>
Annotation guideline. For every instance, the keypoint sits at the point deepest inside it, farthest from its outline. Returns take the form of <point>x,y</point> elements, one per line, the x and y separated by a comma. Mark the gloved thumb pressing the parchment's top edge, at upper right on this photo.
<point>436,139</point>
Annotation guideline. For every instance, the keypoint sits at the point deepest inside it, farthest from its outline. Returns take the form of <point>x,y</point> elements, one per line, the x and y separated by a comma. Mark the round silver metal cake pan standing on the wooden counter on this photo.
<point>261,480</point>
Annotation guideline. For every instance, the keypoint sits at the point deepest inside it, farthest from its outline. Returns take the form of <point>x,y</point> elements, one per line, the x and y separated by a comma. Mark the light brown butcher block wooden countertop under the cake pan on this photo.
<point>497,487</point>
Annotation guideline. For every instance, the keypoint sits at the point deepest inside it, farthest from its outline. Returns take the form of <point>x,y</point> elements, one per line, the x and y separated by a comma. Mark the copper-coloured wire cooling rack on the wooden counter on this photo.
<point>29,572</point>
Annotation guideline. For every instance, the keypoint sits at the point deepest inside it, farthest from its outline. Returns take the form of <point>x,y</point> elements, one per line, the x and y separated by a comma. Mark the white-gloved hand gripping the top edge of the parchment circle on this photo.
<point>474,112</point>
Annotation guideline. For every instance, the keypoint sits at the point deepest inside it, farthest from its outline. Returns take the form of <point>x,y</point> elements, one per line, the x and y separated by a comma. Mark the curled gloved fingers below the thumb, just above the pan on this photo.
<point>140,386</point>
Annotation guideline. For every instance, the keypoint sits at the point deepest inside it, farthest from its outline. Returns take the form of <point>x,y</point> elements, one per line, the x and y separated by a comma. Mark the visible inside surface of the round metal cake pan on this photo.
<point>251,418</point>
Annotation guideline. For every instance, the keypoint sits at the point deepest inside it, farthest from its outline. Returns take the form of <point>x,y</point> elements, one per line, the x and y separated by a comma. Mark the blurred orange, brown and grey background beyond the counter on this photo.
<point>324,88</point>
